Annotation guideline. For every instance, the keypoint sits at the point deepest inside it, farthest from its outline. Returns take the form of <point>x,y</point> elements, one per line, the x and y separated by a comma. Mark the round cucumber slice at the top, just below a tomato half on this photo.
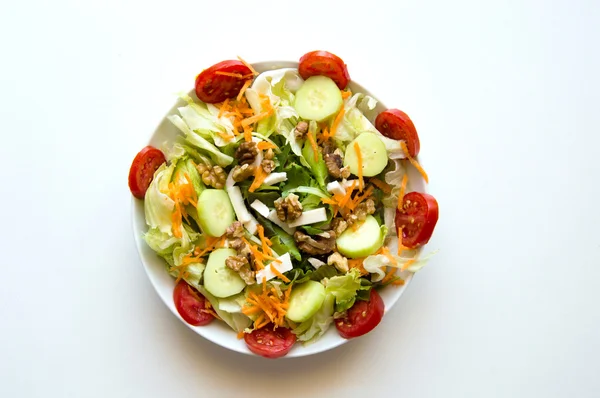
<point>318,99</point>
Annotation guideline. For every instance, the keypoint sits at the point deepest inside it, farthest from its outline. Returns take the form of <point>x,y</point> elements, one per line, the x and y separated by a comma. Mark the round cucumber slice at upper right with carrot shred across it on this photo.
<point>373,153</point>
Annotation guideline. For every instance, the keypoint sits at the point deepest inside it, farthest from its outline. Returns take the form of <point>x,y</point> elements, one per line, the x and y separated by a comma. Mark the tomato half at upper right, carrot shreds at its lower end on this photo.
<point>395,124</point>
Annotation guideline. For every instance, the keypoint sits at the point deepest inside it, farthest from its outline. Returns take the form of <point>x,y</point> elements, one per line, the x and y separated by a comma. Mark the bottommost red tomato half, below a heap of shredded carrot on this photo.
<point>270,343</point>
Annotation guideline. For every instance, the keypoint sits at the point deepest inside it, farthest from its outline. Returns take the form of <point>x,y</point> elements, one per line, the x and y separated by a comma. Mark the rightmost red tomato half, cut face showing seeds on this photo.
<point>417,218</point>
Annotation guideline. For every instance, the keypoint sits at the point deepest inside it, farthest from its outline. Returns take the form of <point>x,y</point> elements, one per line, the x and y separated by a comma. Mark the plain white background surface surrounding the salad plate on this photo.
<point>505,96</point>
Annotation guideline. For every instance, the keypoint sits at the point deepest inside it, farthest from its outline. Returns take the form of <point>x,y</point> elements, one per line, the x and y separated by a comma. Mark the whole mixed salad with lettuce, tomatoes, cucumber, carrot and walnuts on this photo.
<point>282,209</point>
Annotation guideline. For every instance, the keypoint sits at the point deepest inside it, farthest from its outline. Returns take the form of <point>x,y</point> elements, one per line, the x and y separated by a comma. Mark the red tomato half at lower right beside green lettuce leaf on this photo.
<point>362,317</point>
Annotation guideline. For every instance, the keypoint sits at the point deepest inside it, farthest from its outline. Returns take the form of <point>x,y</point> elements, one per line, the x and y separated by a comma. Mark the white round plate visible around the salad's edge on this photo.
<point>218,332</point>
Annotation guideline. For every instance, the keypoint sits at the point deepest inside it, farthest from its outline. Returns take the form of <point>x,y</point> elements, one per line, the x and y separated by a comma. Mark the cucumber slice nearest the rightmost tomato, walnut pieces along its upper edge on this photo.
<point>363,242</point>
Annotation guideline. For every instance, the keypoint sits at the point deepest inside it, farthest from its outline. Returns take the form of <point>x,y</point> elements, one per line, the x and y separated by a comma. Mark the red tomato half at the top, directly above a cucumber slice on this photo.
<point>323,63</point>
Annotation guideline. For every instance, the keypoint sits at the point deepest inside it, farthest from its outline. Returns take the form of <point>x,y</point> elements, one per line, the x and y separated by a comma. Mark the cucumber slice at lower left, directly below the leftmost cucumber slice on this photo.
<point>219,280</point>
